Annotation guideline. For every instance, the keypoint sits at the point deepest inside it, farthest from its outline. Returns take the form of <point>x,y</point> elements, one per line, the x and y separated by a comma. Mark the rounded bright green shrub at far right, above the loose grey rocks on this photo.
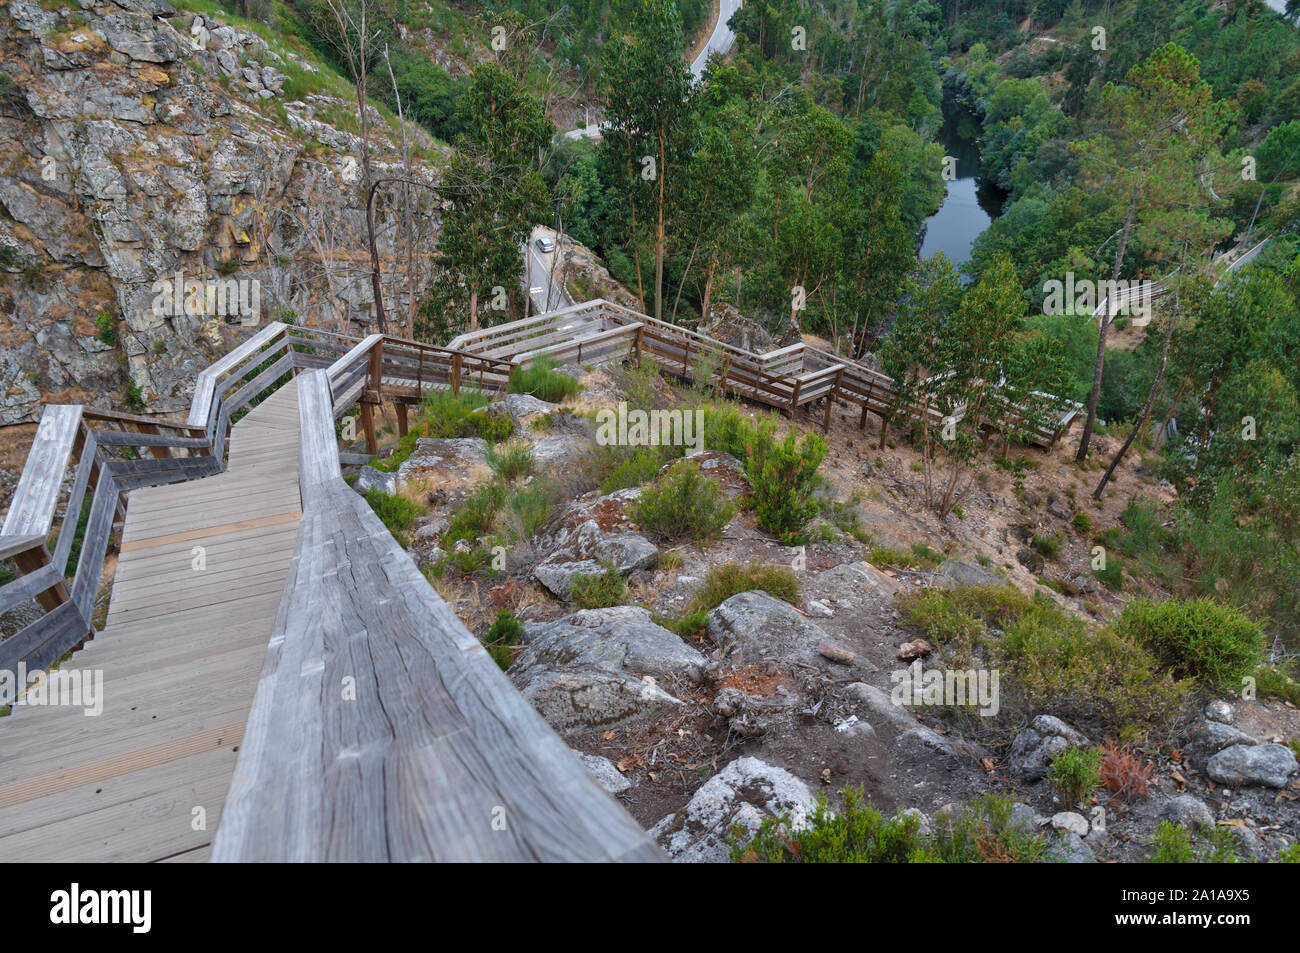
<point>1198,639</point>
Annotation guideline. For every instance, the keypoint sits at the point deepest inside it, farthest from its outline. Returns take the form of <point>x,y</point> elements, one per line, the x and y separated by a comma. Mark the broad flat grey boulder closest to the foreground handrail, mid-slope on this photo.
<point>603,666</point>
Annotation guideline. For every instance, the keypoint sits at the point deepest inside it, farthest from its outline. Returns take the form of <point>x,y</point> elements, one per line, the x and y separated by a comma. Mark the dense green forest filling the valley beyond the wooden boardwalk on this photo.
<point>1141,141</point>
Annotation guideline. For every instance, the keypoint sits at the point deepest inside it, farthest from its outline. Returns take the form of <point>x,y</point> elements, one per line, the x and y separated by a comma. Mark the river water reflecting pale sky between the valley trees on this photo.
<point>972,203</point>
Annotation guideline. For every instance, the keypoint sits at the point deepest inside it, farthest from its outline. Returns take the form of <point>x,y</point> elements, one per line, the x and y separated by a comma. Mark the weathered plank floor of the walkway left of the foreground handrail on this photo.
<point>180,657</point>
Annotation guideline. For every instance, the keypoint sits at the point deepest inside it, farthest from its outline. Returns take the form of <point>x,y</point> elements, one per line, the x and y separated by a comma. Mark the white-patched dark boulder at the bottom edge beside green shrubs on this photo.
<point>742,795</point>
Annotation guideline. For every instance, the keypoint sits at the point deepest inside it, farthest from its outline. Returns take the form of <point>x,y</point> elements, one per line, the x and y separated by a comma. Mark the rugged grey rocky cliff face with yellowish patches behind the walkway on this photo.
<point>141,145</point>
